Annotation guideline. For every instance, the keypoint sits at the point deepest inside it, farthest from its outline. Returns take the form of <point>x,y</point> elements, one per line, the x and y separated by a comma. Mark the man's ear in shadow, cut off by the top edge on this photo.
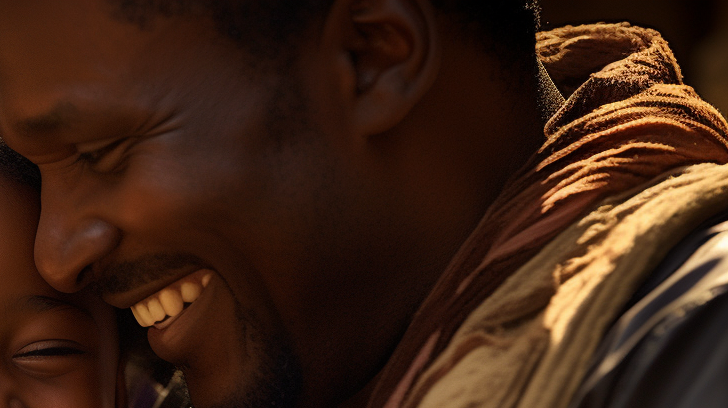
<point>391,57</point>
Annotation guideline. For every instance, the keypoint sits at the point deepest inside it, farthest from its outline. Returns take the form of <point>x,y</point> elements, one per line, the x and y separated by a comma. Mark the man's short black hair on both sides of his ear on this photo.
<point>268,27</point>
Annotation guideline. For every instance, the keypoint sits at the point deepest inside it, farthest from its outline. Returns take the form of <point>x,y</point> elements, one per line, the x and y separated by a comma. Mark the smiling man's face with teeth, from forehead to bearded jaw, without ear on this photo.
<point>182,183</point>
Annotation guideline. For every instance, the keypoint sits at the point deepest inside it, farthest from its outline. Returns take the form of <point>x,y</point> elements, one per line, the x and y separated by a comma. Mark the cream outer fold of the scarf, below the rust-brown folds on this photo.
<point>529,344</point>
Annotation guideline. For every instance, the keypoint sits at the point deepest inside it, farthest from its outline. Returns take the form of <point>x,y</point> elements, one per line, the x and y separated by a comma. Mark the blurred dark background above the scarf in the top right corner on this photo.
<point>697,30</point>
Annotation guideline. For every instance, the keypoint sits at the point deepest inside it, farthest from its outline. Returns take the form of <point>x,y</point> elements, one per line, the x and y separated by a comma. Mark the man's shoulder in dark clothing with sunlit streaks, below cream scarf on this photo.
<point>670,346</point>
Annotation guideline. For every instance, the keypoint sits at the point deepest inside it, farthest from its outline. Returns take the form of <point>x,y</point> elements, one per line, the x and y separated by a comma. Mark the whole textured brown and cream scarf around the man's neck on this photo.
<point>517,314</point>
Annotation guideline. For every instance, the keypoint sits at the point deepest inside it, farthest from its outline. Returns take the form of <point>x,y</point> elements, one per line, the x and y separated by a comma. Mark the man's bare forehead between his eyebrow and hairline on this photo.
<point>59,60</point>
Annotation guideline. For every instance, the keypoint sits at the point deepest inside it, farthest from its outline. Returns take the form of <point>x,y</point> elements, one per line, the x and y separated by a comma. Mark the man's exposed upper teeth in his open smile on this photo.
<point>170,300</point>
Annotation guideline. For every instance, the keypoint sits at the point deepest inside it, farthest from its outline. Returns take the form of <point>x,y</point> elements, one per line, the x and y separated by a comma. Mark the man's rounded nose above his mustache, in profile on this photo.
<point>71,237</point>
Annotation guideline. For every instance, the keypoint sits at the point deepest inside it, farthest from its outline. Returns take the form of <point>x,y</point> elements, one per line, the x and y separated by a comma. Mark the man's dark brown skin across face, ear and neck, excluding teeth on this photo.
<point>326,199</point>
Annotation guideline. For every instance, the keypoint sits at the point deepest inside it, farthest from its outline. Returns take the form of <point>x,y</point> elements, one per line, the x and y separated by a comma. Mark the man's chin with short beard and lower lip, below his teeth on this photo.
<point>228,358</point>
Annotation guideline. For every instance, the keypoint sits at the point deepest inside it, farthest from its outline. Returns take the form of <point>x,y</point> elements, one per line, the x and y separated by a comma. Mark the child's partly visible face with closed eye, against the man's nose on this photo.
<point>56,350</point>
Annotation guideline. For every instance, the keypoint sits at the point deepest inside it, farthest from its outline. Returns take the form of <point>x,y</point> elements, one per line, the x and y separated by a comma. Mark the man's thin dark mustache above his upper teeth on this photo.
<point>126,275</point>
